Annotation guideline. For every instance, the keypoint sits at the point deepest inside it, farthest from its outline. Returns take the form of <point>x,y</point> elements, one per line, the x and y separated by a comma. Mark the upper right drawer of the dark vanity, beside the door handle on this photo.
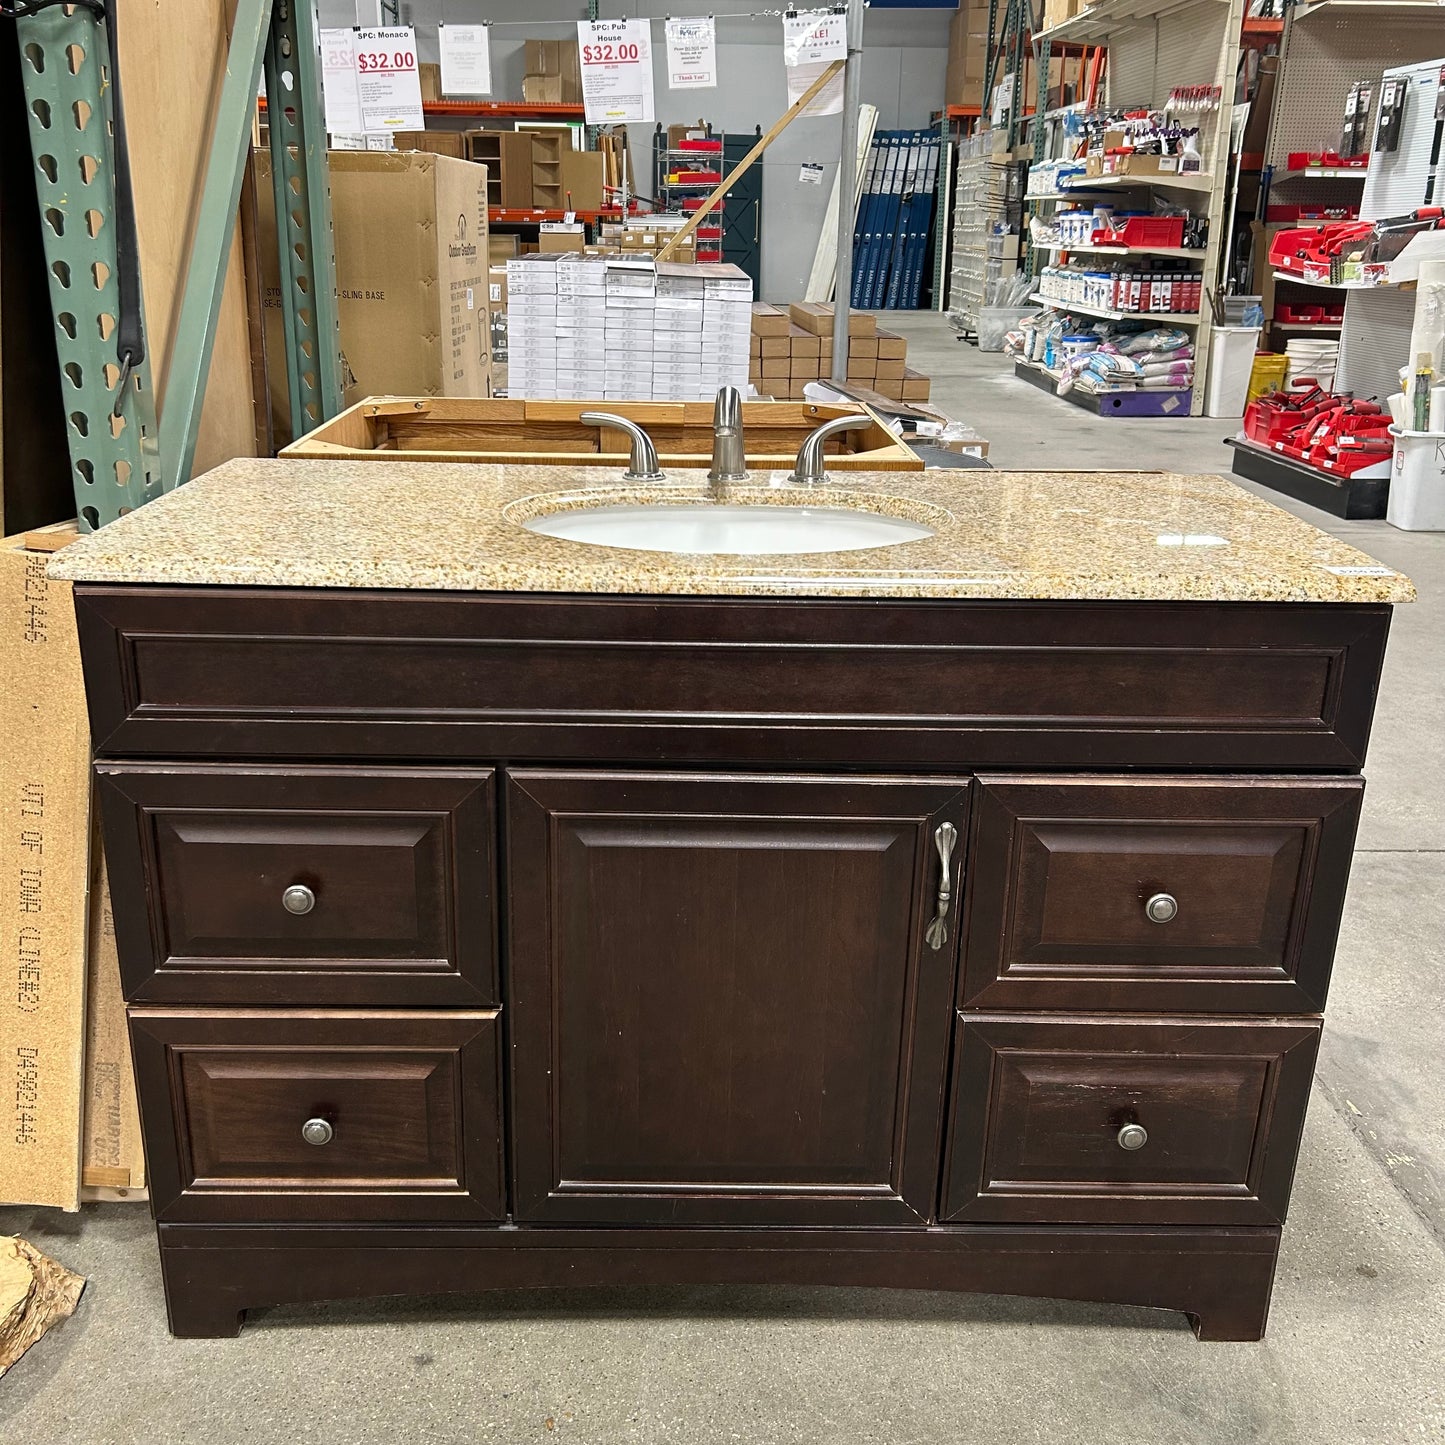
<point>1245,879</point>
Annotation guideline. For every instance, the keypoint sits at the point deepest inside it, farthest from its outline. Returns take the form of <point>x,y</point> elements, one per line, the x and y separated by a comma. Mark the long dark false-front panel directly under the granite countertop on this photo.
<point>879,684</point>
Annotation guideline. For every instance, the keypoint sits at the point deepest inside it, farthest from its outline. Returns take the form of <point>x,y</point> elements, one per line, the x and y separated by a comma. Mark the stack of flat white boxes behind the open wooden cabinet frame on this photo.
<point>626,329</point>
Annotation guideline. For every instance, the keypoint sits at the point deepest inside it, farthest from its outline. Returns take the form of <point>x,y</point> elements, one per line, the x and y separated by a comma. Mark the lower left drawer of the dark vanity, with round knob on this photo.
<point>267,1116</point>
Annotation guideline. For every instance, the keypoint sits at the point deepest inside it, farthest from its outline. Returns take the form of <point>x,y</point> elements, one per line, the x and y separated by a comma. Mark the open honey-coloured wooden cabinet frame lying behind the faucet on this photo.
<point>551,434</point>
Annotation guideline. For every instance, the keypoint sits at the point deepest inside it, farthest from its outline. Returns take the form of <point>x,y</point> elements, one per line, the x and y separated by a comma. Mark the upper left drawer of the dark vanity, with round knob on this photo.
<point>303,885</point>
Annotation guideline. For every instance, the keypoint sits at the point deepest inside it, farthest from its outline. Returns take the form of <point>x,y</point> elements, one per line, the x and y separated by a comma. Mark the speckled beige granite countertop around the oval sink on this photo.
<point>1149,537</point>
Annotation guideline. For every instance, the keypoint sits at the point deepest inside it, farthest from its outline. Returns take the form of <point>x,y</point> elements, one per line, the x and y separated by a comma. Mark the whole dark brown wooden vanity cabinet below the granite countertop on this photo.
<point>499,941</point>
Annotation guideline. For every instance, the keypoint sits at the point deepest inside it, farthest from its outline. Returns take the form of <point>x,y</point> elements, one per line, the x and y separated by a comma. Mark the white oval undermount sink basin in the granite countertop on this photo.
<point>725,528</point>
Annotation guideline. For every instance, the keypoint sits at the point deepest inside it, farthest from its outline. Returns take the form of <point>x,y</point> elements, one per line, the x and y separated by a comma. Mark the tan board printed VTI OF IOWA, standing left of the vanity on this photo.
<point>44,878</point>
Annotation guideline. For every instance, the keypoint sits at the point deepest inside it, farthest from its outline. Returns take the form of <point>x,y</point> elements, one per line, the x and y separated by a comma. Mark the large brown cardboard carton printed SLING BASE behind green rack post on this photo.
<point>413,256</point>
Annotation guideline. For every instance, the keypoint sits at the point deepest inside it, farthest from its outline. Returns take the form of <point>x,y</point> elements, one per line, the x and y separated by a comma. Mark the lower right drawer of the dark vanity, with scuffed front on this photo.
<point>1128,1121</point>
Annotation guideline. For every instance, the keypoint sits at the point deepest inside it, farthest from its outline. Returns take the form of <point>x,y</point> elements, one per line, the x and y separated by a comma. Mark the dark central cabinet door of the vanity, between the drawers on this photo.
<point>725,1005</point>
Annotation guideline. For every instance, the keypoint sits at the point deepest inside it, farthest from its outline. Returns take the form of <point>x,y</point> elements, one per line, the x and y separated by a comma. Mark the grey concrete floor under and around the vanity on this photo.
<point>1353,1356</point>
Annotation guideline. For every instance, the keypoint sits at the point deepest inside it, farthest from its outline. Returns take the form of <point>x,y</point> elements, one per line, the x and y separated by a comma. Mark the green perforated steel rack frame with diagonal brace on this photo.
<point>121,459</point>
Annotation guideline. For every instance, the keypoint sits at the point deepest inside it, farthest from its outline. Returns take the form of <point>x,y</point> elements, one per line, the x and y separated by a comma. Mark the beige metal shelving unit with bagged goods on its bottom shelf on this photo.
<point>1154,47</point>
